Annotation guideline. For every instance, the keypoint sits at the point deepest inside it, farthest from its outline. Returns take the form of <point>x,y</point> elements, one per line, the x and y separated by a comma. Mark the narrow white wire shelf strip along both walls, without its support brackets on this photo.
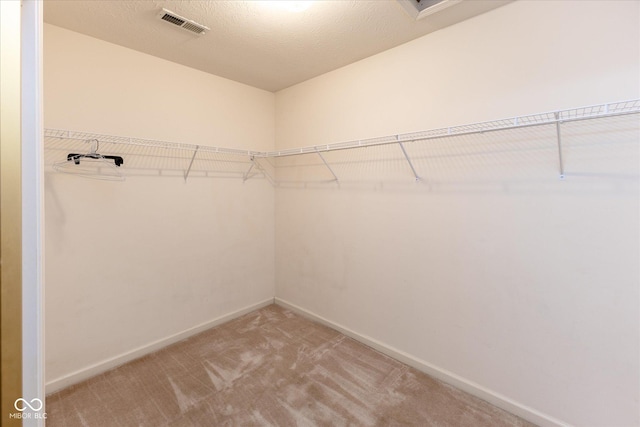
<point>554,117</point>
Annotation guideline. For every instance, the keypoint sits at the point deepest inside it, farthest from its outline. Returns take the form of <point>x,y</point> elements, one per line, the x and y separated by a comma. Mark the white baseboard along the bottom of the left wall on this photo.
<point>113,362</point>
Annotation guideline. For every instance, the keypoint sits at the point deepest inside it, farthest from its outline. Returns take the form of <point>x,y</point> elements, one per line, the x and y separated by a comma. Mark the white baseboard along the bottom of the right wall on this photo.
<point>457,381</point>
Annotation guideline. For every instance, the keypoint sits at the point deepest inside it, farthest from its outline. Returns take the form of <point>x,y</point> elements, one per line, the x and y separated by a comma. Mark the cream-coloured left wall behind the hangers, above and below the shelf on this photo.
<point>133,263</point>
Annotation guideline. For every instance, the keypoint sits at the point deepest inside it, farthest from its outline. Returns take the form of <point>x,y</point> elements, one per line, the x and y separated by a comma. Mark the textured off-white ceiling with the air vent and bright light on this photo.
<point>259,43</point>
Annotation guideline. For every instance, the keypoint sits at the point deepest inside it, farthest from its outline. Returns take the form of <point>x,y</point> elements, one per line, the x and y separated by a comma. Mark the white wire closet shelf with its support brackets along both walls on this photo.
<point>173,158</point>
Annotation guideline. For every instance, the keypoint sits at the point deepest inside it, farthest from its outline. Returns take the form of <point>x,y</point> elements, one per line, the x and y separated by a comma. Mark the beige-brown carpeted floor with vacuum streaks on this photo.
<point>269,368</point>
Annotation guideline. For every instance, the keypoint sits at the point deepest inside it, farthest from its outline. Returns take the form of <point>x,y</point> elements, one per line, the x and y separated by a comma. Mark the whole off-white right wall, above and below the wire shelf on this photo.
<point>517,283</point>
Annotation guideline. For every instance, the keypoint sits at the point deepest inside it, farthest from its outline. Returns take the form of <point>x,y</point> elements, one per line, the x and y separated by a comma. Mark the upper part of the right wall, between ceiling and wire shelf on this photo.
<point>519,59</point>
